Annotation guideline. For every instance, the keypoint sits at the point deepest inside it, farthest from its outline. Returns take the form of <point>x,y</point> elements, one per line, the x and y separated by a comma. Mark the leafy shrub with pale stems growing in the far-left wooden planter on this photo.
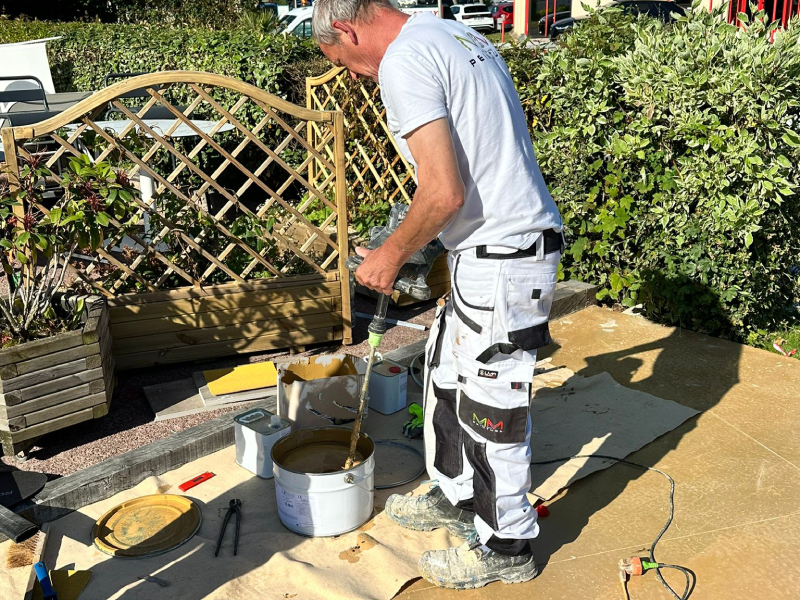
<point>37,245</point>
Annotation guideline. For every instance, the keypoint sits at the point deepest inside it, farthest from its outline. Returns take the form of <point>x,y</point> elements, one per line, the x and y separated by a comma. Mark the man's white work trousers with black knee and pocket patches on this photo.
<point>480,362</point>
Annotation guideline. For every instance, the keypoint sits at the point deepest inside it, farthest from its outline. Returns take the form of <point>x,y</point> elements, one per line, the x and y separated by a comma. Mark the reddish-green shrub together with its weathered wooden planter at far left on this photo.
<point>56,367</point>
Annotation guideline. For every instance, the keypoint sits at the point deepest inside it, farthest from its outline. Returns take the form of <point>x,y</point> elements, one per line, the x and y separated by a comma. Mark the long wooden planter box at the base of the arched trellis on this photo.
<point>198,323</point>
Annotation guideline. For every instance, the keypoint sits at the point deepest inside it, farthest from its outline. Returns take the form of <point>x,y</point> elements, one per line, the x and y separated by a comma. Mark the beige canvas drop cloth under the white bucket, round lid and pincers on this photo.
<point>272,563</point>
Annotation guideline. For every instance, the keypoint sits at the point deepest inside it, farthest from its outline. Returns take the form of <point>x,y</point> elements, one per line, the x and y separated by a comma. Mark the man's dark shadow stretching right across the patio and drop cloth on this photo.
<point>691,369</point>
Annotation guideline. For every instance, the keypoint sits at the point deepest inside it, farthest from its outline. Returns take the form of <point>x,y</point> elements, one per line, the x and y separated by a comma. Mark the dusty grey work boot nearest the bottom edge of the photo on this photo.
<point>473,565</point>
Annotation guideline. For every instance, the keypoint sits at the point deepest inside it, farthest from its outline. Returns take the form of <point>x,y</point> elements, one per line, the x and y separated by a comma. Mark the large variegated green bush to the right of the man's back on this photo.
<point>672,153</point>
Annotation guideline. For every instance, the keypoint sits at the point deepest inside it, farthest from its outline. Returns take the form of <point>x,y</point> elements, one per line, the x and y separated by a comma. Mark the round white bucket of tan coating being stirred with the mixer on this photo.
<point>323,504</point>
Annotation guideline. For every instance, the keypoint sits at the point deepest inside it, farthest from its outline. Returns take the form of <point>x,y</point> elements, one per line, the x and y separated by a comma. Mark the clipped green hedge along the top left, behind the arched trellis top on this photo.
<point>87,52</point>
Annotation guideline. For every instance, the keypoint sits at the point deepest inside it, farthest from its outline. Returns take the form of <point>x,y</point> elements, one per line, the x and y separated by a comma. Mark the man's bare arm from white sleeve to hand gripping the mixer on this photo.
<point>439,196</point>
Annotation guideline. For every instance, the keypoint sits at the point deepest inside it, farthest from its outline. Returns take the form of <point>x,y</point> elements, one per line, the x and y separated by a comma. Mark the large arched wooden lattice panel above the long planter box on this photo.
<point>227,191</point>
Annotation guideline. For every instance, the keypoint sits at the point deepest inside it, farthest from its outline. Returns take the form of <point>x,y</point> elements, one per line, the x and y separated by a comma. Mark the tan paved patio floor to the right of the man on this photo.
<point>737,500</point>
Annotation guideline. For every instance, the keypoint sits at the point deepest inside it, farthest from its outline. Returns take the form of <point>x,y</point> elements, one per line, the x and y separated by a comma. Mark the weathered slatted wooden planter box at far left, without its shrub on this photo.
<point>56,382</point>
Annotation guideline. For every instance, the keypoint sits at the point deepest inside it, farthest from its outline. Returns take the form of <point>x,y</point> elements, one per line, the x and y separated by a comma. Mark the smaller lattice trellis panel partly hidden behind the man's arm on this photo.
<point>375,167</point>
